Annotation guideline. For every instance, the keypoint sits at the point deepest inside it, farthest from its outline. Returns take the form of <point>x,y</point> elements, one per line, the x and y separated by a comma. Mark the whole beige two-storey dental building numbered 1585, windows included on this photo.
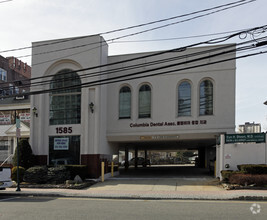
<point>185,108</point>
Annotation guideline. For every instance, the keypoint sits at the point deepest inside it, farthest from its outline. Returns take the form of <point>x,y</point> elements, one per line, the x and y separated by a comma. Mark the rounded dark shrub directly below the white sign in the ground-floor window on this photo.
<point>58,174</point>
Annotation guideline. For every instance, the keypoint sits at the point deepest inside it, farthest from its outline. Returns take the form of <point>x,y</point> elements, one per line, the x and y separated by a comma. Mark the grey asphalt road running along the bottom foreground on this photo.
<point>17,208</point>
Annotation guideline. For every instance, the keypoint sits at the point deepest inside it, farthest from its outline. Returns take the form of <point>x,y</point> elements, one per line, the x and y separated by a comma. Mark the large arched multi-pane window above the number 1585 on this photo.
<point>65,103</point>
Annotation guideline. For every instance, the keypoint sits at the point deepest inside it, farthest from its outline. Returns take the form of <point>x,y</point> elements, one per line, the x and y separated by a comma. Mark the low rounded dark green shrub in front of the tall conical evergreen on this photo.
<point>36,174</point>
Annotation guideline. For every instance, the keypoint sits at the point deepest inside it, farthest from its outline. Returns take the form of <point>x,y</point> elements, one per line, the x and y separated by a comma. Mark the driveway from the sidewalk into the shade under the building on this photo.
<point>160,178</point>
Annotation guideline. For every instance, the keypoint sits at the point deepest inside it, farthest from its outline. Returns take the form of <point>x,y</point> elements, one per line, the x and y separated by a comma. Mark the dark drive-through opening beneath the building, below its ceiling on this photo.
<point>167,159</point>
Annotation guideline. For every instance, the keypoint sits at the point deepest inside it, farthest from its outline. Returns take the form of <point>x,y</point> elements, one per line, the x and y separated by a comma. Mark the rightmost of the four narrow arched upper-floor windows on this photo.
<point>206,98</point>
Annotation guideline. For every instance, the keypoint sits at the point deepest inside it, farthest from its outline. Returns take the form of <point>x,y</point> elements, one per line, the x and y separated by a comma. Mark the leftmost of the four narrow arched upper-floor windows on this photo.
<point>125,102</point>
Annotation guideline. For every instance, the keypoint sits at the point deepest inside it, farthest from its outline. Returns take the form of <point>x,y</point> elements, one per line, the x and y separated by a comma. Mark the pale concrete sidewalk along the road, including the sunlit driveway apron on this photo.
<point>205,188</point>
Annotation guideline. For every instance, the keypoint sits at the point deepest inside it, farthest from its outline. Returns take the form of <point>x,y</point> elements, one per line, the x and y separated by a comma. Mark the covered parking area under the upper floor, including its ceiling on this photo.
<point>162,155</point>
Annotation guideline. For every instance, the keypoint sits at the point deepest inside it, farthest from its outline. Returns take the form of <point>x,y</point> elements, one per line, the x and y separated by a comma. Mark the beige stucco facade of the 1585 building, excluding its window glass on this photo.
<point>101,132</point>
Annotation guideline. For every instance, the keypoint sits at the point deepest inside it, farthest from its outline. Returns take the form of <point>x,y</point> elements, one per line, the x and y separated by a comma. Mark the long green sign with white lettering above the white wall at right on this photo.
<point>245,138</point>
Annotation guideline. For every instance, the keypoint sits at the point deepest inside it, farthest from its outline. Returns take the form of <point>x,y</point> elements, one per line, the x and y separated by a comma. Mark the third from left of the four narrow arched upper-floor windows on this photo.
<point>184,99</point>
